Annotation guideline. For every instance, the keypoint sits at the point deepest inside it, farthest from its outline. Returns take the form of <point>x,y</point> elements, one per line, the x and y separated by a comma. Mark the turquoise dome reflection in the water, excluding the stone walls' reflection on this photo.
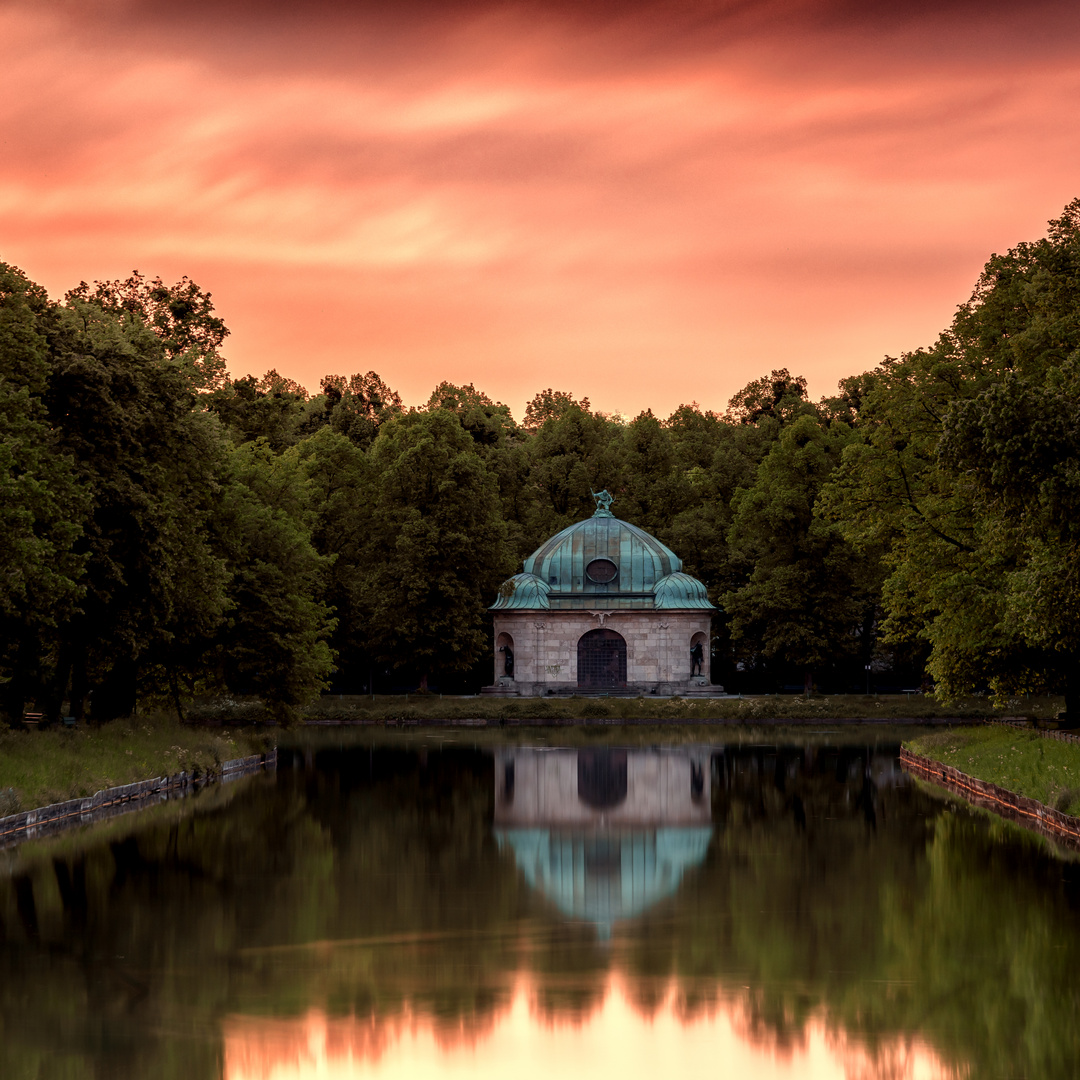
<point>606,876</point>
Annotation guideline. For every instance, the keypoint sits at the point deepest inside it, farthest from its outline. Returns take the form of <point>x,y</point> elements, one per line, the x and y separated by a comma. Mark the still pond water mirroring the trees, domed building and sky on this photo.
<point>430,910</point>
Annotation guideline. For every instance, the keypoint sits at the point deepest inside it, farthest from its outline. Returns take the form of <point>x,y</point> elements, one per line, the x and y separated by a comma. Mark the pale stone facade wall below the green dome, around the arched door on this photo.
<point>658,651</point>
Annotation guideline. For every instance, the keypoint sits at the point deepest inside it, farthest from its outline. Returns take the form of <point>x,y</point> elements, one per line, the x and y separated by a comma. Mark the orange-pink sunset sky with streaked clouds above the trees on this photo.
<point>645,204</point>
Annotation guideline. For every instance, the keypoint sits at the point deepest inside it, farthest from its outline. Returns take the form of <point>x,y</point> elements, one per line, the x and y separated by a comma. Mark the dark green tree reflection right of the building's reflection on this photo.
<point>872,908</point>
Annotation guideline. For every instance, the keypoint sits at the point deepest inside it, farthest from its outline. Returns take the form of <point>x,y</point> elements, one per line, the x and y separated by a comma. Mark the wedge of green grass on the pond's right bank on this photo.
<point>1023,762</point>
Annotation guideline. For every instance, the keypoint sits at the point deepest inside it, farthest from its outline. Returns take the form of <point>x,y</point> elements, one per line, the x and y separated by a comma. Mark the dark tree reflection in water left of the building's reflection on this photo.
<point>163,934</point>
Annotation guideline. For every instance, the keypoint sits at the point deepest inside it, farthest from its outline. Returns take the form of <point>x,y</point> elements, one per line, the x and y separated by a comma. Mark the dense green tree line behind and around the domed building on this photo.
<point>171,531</point>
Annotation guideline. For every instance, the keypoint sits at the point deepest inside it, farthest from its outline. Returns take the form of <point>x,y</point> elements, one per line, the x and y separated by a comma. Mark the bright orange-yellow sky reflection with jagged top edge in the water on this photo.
<point>615,1041</point>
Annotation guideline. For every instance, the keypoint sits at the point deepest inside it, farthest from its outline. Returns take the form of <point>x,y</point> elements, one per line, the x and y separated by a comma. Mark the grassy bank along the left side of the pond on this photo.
<point>43,767</point>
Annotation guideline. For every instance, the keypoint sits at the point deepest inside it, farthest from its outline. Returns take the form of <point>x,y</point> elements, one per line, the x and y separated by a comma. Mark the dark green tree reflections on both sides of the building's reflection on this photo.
<point>828,892</point>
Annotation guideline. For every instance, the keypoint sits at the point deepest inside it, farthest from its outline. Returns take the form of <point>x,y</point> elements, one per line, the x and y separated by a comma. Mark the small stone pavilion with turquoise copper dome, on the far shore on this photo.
<point>603,607</point>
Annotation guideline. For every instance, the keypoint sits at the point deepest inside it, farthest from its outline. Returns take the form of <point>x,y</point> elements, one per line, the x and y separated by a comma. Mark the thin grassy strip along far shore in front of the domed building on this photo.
<point>901,708</point>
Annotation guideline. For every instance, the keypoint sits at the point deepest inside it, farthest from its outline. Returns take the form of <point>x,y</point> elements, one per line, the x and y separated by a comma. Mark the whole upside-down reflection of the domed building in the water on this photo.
<point>603,834</point>
